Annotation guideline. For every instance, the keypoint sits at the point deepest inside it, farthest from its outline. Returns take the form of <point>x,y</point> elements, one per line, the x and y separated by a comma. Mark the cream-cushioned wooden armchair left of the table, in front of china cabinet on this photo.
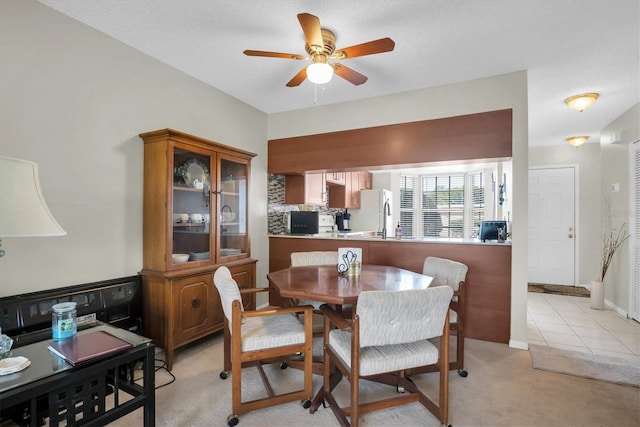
<point>258,337</point>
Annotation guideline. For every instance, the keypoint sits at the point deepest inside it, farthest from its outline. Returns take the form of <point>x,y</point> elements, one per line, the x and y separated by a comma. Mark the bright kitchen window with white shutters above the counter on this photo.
<point>443,205</point>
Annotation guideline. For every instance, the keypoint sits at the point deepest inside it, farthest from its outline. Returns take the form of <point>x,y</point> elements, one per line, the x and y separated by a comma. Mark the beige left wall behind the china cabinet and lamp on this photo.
<point>74,101</point>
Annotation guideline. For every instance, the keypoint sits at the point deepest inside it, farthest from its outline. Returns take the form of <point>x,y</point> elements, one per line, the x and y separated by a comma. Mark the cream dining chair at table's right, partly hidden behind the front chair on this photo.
<point>453,274</point>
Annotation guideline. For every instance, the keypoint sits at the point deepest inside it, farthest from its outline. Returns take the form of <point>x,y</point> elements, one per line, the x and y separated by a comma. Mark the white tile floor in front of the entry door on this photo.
<point>570,323</point>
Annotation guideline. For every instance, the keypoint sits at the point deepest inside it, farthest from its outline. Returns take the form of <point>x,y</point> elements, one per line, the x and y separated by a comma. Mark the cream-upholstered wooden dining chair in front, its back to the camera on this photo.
<point>388,335</point>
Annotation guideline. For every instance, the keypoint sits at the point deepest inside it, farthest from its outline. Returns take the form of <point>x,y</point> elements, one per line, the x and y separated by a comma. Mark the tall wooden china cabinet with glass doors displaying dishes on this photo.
<point>195,220</point>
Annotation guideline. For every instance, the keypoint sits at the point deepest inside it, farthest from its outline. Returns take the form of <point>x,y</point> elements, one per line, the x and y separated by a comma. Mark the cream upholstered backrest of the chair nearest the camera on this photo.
<point>398,317</point>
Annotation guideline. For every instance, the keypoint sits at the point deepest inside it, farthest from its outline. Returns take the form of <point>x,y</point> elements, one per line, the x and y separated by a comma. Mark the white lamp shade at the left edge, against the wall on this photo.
<point>23,210</point>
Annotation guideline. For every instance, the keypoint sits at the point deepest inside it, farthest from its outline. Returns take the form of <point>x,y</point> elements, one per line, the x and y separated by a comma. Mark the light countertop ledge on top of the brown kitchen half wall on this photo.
<point>371,236</point>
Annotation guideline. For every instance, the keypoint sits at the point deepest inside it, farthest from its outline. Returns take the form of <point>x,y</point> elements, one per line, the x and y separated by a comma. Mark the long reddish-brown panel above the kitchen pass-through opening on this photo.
<point>473,137</point>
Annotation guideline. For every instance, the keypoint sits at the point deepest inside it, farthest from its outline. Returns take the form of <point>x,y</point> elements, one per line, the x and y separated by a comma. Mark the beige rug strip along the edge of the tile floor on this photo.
<point>595,366</point>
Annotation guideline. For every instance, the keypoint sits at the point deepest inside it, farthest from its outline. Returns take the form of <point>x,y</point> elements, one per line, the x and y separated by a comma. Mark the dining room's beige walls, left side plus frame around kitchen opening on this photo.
<point>74,101</point>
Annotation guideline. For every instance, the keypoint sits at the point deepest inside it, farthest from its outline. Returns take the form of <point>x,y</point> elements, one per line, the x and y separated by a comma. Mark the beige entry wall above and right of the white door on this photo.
<point>599,166</point>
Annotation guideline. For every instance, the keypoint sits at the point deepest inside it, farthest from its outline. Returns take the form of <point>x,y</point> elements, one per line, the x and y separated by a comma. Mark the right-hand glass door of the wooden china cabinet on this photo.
<point>232,203</point>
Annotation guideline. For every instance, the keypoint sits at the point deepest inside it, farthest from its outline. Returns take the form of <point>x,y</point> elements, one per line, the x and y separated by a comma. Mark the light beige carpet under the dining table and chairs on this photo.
<point>502,389</point>
